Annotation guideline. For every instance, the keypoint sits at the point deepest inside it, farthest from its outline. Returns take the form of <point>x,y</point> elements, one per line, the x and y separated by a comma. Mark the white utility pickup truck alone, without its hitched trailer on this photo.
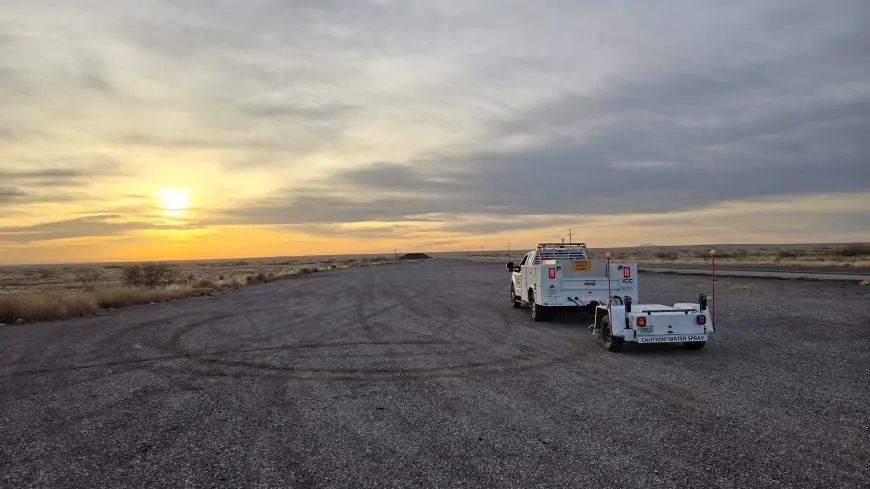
<point>561,275</point>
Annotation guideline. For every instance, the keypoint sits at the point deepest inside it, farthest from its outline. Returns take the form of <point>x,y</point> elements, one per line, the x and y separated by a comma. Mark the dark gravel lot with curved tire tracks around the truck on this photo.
<point>422,375</point>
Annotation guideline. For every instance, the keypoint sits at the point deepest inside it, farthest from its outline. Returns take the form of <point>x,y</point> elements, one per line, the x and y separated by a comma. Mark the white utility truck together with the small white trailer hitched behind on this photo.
<point>562,275</point>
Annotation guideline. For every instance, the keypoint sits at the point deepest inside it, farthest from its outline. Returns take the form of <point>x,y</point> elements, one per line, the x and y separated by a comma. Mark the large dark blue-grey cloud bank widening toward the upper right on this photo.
<point>685,133</point>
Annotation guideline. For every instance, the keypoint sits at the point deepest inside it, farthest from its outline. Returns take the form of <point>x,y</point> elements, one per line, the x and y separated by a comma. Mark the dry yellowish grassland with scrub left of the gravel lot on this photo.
<point>46,294</point>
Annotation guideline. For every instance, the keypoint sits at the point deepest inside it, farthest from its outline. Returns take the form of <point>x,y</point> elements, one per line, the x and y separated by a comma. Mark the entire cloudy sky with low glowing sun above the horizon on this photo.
<point>190,129</point>
